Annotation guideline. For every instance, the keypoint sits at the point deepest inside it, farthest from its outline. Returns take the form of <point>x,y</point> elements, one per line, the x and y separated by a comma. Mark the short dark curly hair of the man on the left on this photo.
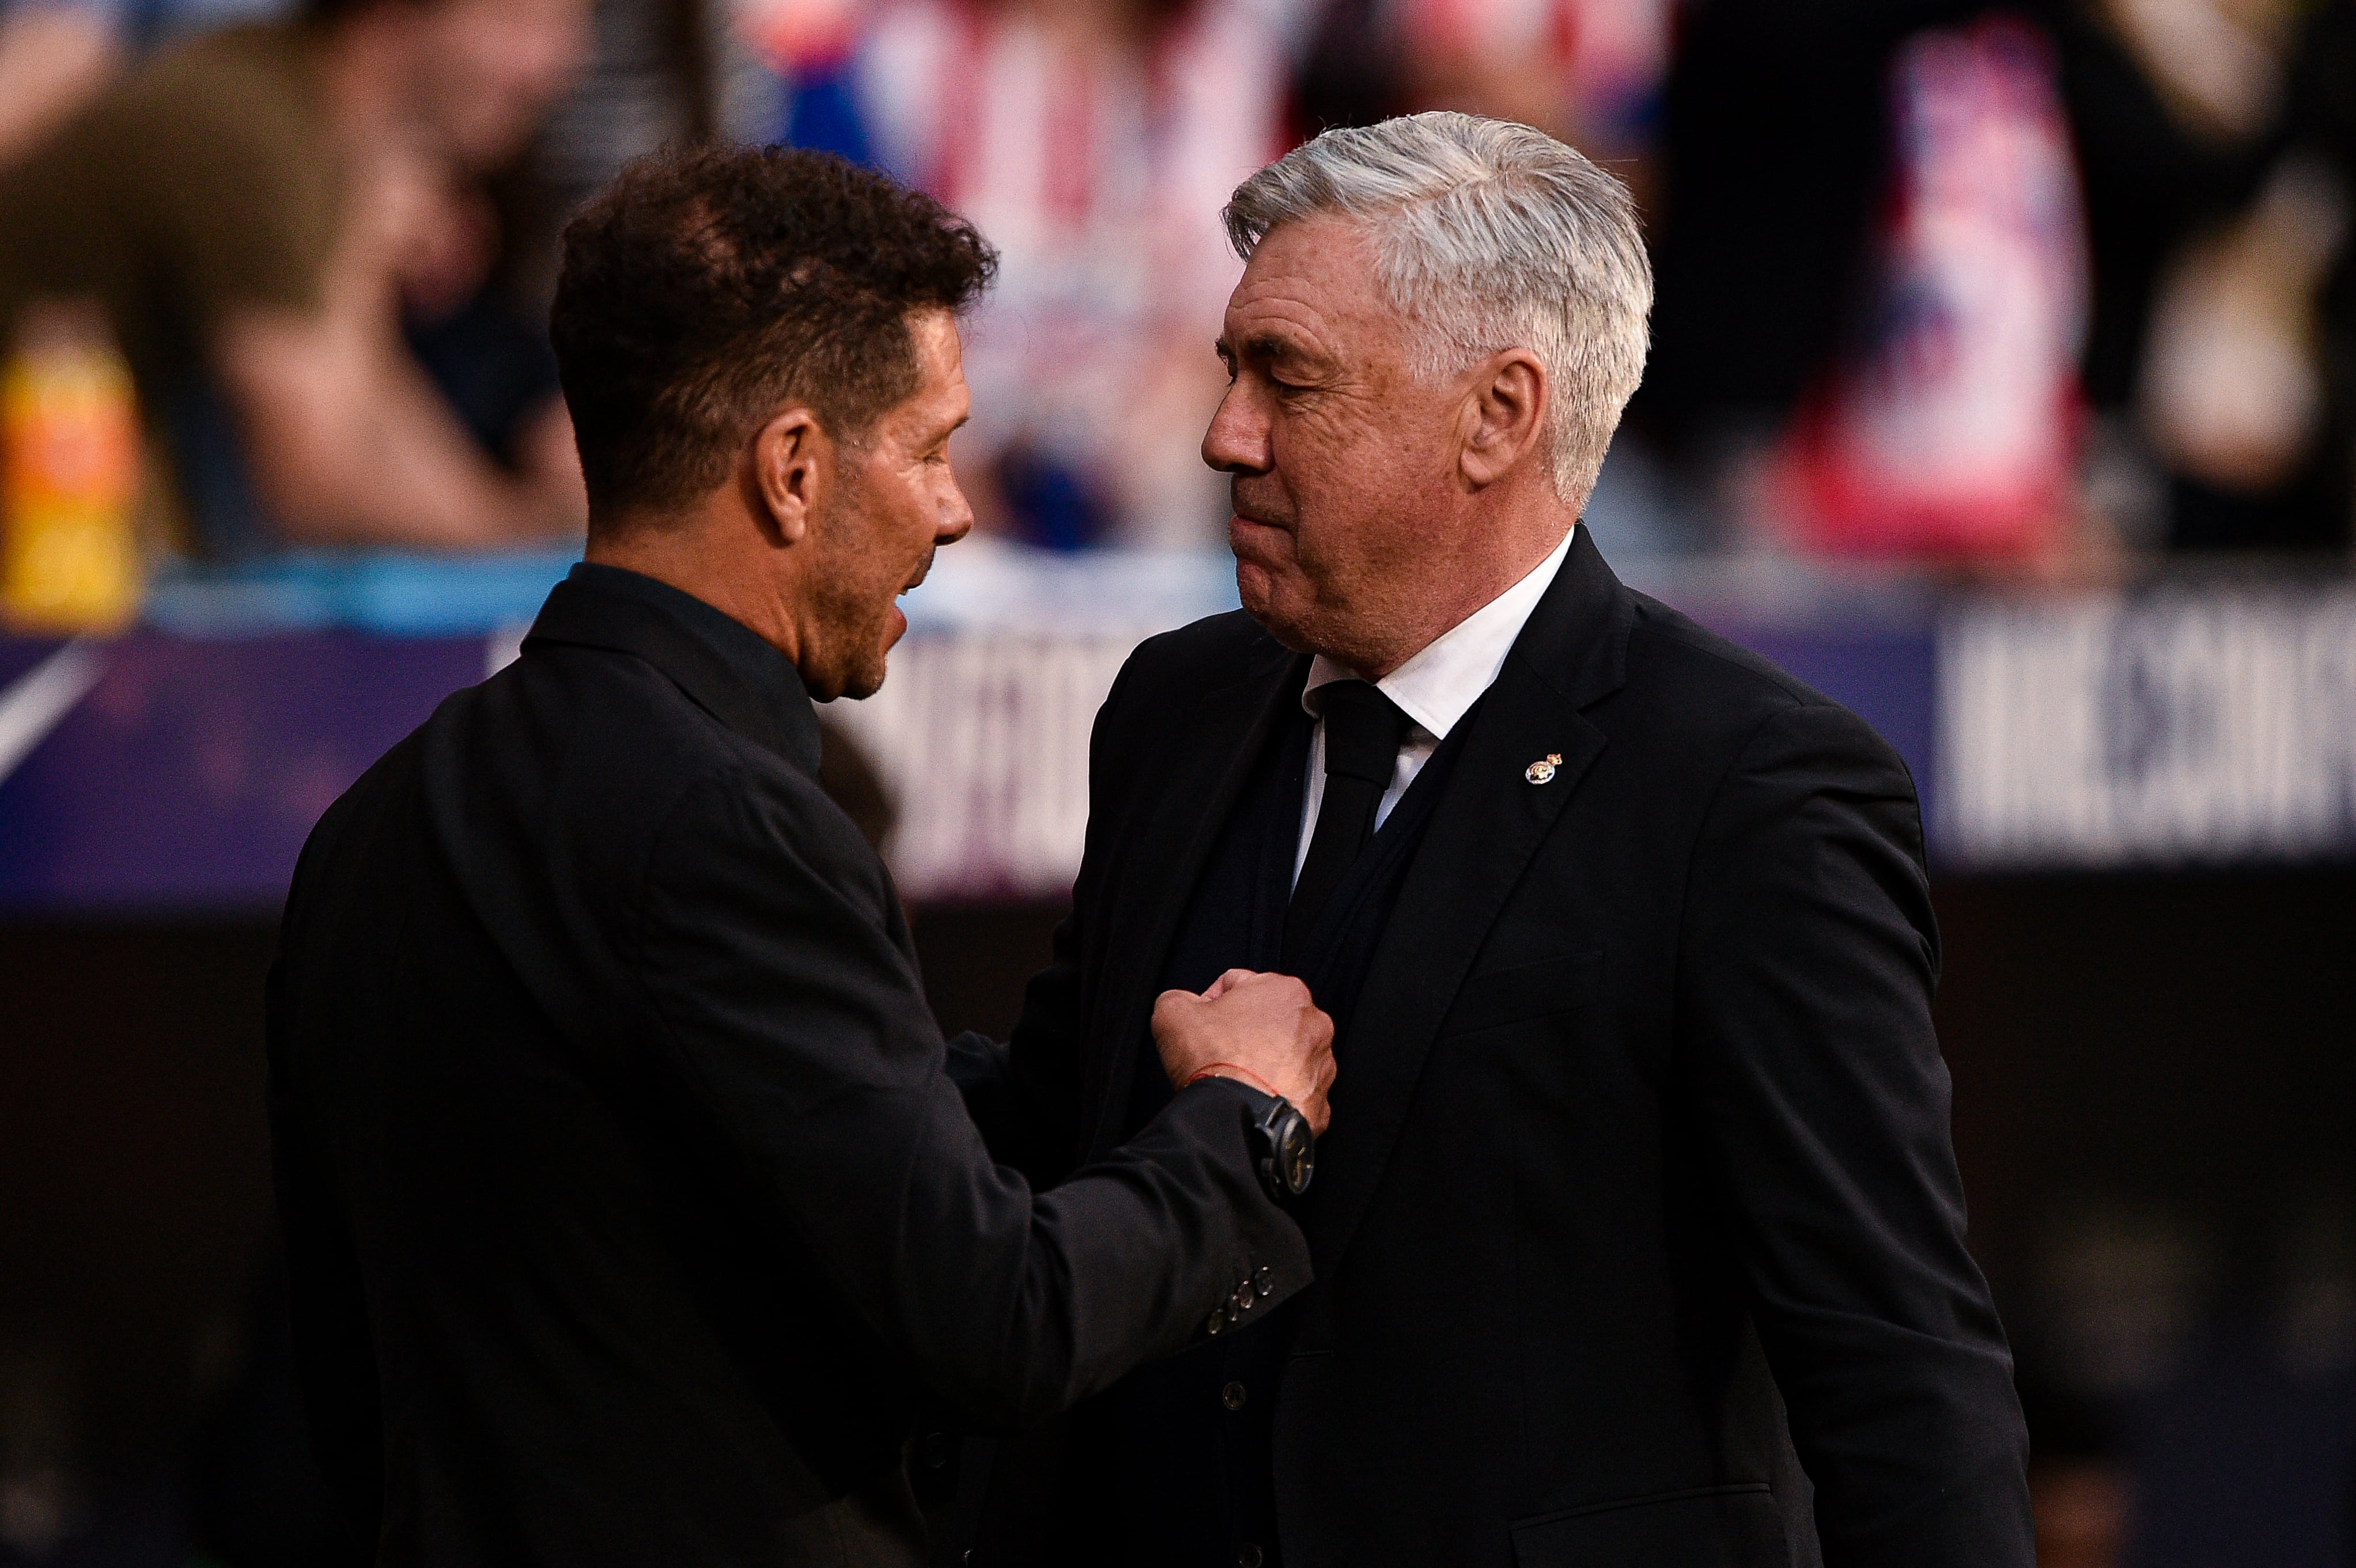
<point>708,288</point>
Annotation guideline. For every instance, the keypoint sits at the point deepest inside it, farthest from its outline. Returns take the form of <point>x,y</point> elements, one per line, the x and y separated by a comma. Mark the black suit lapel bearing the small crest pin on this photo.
<point>1481,842</point>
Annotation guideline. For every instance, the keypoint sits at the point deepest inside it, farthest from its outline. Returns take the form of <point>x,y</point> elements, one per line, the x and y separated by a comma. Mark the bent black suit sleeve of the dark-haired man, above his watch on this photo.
<point>795,1035</point>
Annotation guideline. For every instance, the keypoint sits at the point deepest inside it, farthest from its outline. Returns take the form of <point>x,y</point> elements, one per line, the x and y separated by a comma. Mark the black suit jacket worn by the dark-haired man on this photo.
<point>628,1202</point>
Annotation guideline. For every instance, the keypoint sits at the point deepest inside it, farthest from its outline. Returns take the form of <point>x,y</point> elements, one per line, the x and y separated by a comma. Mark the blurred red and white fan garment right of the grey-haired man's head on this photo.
<point>1945,425</point>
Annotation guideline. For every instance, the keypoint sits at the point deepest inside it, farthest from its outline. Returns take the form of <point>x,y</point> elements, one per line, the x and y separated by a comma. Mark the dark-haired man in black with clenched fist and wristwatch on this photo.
<point>628,1197</point>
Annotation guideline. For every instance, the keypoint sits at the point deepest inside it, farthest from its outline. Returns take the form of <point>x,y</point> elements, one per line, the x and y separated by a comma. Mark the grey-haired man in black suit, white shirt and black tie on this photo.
<point>1639,1237</point>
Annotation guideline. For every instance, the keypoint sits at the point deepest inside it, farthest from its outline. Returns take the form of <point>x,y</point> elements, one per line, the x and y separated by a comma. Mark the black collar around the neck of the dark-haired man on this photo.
<point>722,665</point>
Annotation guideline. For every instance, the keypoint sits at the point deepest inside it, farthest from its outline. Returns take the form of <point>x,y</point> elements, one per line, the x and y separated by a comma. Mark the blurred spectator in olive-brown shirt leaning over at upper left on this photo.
<point>253,208</point>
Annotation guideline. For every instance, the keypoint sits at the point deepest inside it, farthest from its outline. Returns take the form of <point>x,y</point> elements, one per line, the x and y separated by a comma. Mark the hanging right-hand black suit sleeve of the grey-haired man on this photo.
<point>1806,1037</point>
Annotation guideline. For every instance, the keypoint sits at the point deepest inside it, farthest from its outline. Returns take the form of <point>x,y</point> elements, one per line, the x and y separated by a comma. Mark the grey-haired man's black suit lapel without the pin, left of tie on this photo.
<point>1207,766</point>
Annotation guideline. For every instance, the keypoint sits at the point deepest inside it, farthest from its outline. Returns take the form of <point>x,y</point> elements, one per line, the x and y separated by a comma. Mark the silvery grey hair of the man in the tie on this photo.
<point>1488,237</point>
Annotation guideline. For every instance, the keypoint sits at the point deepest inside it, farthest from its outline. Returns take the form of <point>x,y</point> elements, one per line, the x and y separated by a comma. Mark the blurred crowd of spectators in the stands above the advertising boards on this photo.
<point>2037,284</point>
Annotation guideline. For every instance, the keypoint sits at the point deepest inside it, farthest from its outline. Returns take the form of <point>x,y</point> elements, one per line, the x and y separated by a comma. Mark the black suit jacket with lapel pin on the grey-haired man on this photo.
<point>1641,1119</point>
